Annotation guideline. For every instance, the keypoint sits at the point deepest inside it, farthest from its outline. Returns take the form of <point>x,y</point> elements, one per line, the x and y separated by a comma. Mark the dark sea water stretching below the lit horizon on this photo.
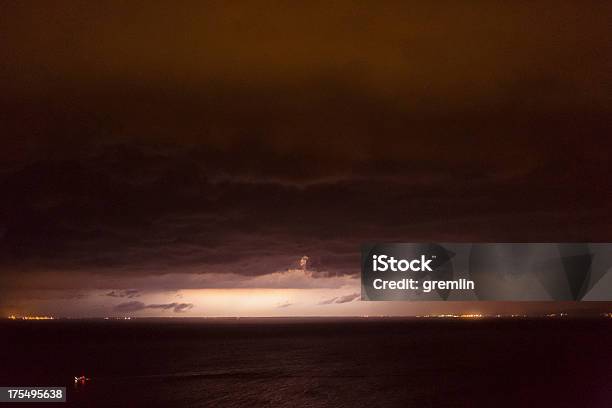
<point>315,363</point>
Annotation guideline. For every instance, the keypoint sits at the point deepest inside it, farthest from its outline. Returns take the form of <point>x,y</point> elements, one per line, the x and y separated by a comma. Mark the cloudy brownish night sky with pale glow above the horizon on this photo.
<point>160,159</point>
